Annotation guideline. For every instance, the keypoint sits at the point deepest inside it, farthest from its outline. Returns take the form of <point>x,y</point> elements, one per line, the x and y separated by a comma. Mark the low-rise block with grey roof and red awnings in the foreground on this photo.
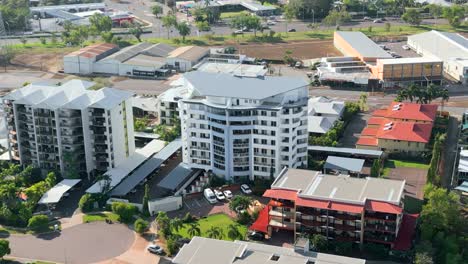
<point>341,208</point>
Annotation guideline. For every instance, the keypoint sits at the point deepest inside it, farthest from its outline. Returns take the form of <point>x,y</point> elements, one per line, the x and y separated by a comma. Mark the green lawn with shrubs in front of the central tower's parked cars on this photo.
<point>218,220</point>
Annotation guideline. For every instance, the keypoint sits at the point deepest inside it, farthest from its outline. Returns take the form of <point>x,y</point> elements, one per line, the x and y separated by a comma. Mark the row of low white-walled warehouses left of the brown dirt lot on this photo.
<point>143,59</point>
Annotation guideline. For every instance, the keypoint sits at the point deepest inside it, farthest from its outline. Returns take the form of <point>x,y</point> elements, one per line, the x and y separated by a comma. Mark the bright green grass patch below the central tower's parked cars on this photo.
<point>220,220</point>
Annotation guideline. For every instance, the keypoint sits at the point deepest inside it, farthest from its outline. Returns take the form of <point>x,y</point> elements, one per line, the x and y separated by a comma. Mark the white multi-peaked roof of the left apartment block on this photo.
<point>74,94</point>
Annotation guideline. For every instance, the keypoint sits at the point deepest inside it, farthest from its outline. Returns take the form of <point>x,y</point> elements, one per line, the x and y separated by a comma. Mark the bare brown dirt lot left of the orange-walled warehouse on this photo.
<point>300,50</point>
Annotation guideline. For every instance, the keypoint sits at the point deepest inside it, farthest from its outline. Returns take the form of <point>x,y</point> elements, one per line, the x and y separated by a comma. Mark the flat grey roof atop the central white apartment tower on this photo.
<point>208,84</point>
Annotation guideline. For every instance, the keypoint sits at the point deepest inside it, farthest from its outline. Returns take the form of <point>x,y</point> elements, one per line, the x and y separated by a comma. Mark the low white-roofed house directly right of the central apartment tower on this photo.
<point>322,114</point>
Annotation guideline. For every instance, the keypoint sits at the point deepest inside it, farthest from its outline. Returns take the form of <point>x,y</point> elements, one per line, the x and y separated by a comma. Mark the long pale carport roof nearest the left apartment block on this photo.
<point>118,173</point>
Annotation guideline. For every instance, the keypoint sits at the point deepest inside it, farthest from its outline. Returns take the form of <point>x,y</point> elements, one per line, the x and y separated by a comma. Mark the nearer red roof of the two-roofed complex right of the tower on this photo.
<point>406,131</point>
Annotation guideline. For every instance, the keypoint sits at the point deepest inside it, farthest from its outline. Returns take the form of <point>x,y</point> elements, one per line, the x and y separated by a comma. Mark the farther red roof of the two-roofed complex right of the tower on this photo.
<point>412,111</point>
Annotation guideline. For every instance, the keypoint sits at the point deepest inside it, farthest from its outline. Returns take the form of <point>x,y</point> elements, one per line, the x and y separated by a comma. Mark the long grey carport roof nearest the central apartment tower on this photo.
<point>146,169</point>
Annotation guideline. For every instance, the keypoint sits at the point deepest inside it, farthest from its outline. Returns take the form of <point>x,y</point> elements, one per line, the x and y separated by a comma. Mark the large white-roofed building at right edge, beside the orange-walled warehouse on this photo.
<point>451,48</point>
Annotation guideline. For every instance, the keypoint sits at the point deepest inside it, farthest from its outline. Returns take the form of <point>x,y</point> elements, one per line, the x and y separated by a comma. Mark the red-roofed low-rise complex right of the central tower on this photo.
<point>401,127</point>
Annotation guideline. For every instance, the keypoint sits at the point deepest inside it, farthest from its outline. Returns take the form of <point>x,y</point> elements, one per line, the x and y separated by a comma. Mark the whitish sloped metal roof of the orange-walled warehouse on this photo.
<point>363,45</point>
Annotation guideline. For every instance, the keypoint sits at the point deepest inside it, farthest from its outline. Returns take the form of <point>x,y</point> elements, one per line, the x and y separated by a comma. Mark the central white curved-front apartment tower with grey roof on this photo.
<point>243,127</point>
